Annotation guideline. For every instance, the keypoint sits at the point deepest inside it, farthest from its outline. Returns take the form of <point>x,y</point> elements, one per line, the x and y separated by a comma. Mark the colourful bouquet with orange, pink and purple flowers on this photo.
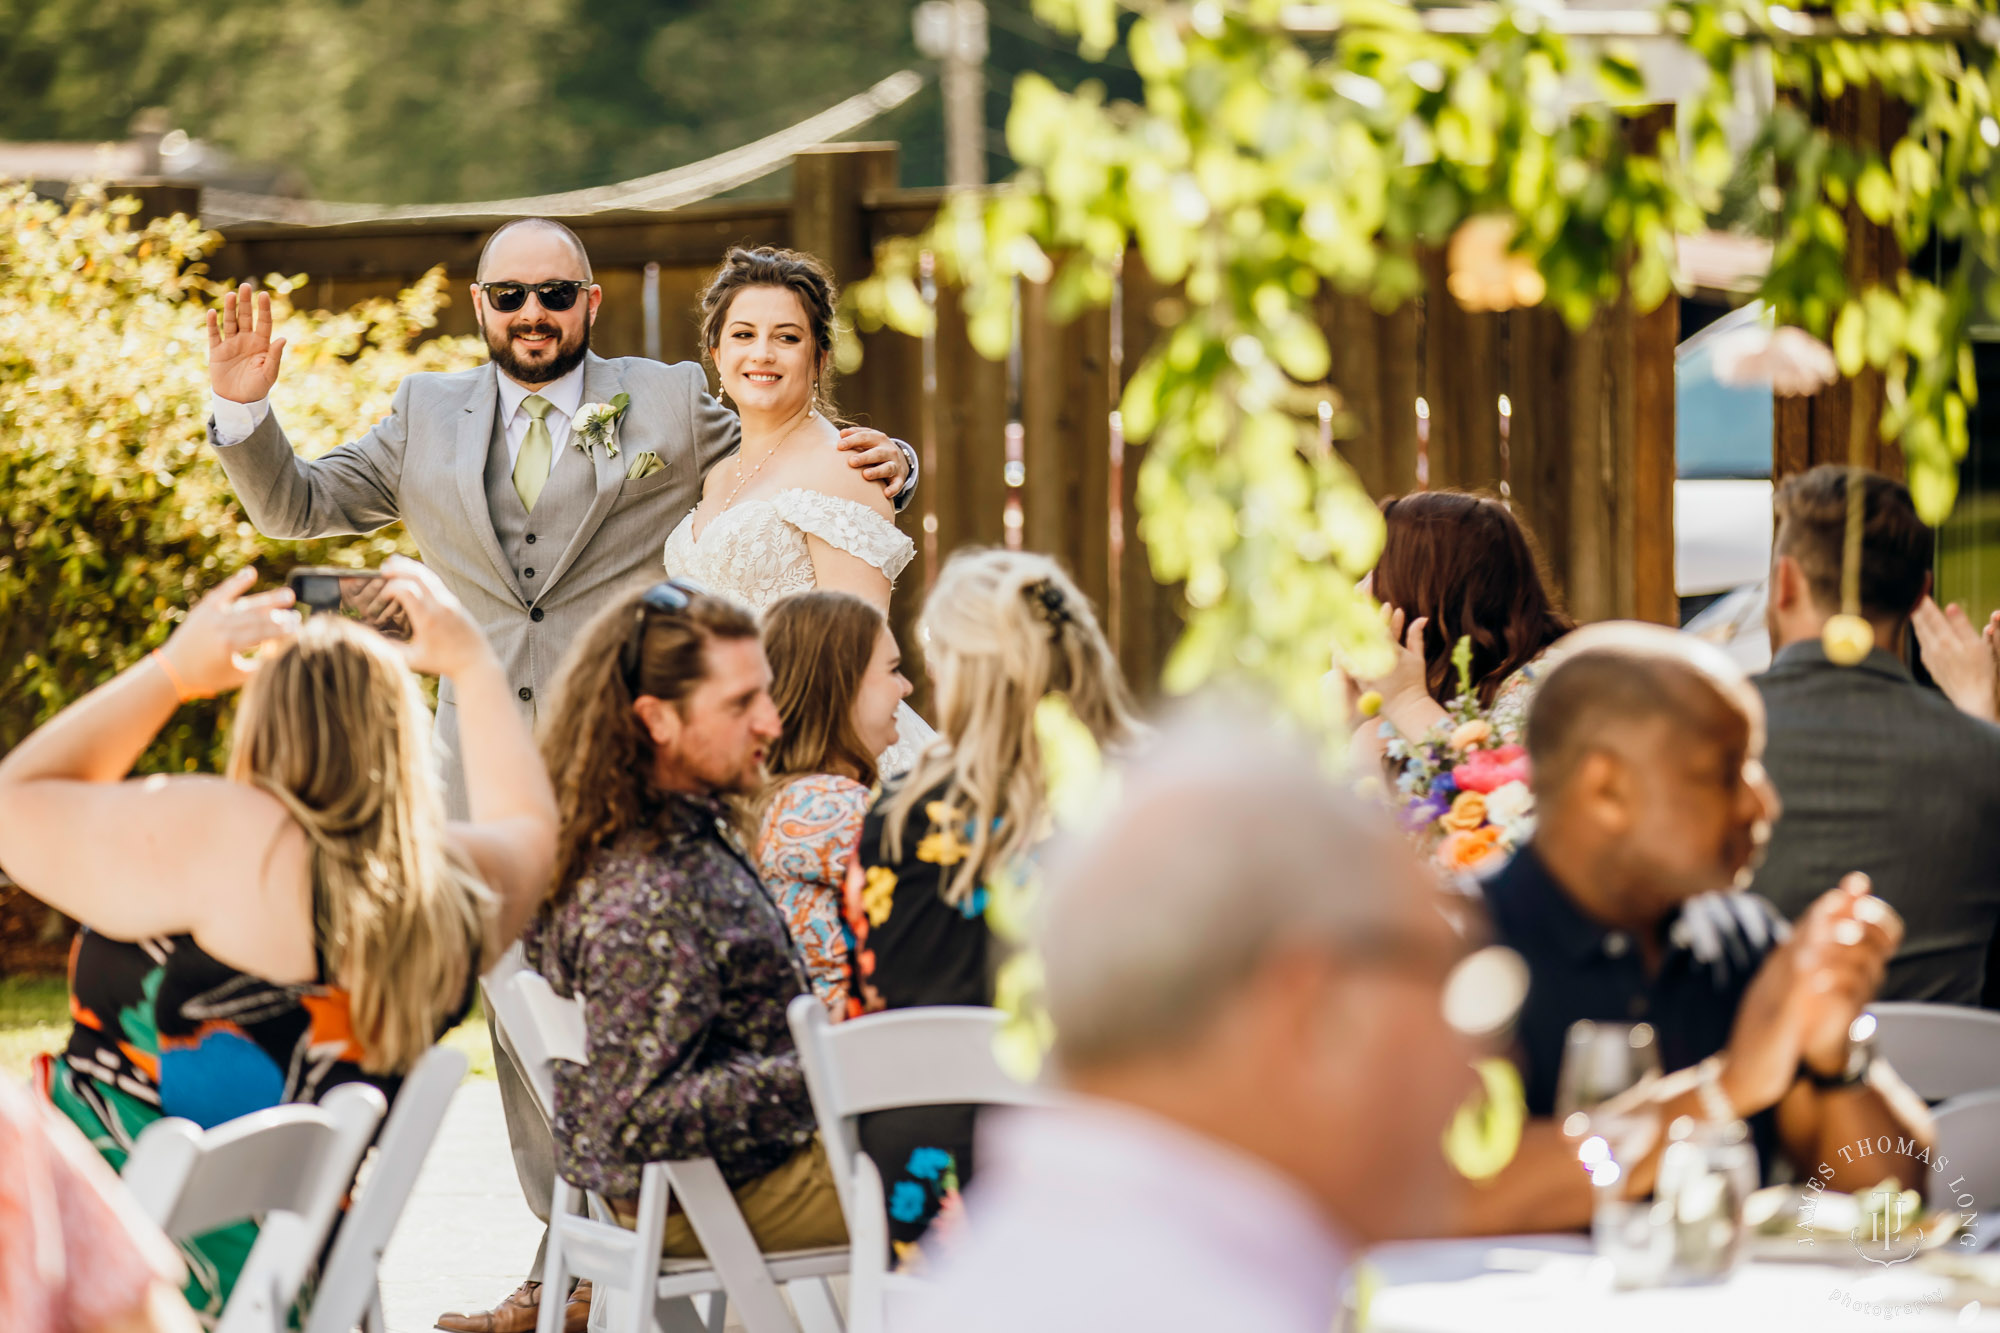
<point>1463,786</point>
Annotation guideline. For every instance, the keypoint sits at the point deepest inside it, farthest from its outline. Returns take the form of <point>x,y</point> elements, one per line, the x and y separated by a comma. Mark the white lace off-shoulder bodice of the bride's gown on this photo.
<point>757,551</point>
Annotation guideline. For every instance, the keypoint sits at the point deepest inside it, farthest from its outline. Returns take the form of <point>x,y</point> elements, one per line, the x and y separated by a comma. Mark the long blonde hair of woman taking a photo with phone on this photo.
<point>337,730</point>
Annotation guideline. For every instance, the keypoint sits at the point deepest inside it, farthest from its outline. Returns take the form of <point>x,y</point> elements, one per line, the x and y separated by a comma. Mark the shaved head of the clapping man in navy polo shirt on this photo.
<point>1645,748</point>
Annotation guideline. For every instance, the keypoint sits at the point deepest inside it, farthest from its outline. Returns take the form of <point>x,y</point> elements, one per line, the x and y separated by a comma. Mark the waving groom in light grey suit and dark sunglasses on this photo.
<point>529,529</point>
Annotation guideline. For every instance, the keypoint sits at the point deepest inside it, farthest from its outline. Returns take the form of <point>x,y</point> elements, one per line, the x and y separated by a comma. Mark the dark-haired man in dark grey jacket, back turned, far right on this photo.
<point>1877,774</point>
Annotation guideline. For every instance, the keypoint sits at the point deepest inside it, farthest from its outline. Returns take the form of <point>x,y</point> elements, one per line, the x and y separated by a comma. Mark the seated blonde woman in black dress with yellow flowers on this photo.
<point>1003,631</point>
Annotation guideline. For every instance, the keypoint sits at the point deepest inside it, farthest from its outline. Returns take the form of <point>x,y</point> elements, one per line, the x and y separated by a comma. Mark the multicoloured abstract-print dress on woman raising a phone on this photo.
<point>165,1030</point>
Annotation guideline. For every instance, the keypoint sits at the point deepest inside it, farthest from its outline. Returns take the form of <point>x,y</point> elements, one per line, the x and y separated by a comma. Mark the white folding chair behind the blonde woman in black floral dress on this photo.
<point>909,1058</point>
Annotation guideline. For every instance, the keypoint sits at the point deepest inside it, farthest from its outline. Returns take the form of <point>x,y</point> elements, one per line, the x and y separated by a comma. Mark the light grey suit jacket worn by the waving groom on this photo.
<point>425,465</point>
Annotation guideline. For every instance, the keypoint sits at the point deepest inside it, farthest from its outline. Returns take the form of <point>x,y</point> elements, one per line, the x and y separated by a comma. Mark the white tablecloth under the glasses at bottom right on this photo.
<point>1549,1284</point>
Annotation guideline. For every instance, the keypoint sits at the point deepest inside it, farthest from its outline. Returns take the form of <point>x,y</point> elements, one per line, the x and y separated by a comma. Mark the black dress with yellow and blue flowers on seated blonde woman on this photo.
<point>911,948</point>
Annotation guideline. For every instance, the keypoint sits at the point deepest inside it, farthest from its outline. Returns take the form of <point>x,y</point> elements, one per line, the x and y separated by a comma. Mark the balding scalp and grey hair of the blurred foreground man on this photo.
<point>1225,846</point>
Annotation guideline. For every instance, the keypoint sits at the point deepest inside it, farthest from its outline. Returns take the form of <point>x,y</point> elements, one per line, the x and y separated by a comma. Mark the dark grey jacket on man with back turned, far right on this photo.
<point>1883,776</point>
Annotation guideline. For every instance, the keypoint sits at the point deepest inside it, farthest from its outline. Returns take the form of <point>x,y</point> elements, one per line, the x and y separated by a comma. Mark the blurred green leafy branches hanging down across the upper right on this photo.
<point>1287,149</point>
